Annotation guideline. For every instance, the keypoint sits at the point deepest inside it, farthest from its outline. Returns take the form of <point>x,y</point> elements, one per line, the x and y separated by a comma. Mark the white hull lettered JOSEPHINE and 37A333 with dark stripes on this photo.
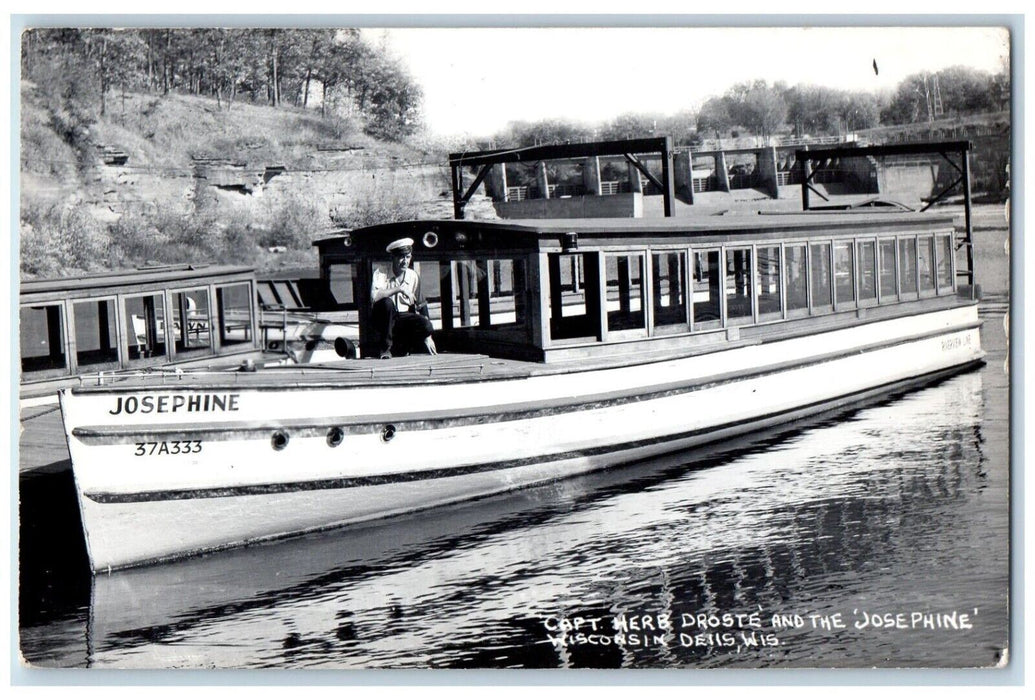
<point>407,448</point>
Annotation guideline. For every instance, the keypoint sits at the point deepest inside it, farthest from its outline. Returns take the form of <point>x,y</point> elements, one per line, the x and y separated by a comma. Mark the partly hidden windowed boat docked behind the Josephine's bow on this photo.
<point>165,318</point>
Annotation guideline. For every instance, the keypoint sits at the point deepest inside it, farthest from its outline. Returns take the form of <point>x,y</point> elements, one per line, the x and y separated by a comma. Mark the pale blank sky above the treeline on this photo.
<point>478,80</point>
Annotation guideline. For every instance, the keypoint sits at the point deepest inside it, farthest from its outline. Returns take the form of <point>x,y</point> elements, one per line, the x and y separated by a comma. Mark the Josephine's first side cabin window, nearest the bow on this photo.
<point>575,301</point>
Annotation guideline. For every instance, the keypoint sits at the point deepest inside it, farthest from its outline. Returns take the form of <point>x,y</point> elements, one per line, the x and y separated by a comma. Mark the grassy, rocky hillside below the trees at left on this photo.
<point>179,179</point>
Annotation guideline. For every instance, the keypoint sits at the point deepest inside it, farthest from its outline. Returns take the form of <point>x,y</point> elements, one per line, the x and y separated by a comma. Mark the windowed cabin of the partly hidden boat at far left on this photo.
<point>150,317</point>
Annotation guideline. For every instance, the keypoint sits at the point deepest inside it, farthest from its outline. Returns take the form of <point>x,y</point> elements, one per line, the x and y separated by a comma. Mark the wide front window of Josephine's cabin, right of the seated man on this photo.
<point>489,293</point>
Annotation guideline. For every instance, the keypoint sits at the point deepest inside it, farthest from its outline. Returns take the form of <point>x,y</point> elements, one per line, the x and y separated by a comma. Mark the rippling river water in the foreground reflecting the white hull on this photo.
<point>896,509</point>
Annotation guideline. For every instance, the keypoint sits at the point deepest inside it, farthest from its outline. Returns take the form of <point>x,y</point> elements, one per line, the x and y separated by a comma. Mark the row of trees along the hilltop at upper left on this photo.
<point>274,67</point>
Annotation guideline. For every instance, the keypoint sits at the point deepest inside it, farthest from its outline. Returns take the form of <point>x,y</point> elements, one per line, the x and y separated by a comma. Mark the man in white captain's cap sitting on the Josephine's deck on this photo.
<point>400,313</point>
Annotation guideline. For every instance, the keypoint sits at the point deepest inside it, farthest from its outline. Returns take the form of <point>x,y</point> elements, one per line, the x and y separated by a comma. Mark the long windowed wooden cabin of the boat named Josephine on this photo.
<point>548,290</point>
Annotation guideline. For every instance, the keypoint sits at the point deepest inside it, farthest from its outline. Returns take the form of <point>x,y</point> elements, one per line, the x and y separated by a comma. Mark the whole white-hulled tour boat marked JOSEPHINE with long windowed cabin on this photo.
<point>567,346</point>
